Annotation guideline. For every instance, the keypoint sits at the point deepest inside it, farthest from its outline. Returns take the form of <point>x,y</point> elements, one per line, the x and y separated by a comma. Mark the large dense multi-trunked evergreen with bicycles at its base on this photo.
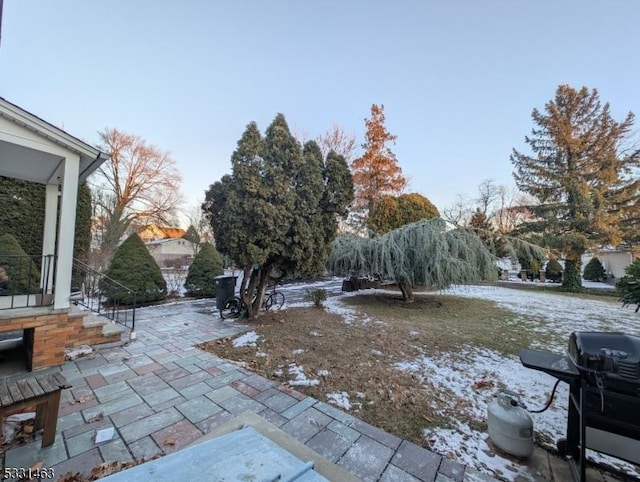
<point>277,210</point>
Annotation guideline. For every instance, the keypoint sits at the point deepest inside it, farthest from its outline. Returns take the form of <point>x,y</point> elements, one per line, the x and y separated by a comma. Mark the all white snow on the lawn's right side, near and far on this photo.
<point>475,374</point>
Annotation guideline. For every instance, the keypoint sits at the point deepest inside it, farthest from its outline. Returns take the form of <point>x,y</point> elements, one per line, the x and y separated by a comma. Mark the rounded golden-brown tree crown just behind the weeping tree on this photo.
<point>391,212</point>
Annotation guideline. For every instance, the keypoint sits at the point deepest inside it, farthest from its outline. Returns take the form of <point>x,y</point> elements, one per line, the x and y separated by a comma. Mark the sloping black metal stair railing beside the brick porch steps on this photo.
<point>102,295</point>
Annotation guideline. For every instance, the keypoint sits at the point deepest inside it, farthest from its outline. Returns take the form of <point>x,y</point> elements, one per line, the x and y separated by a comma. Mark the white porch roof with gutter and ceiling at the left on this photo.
<point>37,163</point>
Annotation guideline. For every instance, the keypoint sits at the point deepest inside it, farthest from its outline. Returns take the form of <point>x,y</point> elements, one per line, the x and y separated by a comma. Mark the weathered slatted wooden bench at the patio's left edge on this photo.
<point>41,391</point>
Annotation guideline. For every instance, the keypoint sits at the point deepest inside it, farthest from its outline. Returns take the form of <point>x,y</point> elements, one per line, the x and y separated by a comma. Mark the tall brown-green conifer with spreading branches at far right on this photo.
<point>581,176</point>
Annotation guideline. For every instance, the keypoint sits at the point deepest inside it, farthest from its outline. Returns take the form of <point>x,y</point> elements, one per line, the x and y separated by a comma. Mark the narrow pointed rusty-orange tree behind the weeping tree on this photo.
<point>376,173</point>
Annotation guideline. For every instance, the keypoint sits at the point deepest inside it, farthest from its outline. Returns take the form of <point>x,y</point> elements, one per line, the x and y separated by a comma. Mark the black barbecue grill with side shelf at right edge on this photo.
<point>603,373</point>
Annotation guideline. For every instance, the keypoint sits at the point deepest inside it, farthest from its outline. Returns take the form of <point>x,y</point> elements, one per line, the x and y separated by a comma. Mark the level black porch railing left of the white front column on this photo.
<point>26,281</point>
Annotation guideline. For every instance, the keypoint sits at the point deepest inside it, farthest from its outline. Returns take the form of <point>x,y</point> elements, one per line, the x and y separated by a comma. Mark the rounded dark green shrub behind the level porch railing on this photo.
<point>18,272</point>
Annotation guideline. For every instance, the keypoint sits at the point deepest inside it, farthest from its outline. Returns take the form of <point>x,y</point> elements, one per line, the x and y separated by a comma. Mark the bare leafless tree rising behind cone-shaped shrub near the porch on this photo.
<point>138,183</point>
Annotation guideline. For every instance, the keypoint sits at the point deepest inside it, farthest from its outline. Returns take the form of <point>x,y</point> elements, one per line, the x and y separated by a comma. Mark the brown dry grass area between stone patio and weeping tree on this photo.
<point>360,356</point>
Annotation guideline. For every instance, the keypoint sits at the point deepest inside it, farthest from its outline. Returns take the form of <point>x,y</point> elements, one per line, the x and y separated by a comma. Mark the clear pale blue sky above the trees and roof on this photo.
<point>458,79</point>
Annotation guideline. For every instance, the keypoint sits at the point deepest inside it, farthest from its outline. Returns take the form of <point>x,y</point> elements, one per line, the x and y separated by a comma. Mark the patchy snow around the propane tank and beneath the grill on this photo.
<point>465,383</point>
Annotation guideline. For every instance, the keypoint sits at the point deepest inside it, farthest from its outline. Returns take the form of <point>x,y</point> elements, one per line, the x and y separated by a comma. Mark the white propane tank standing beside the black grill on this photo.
<point>510,426</point>
